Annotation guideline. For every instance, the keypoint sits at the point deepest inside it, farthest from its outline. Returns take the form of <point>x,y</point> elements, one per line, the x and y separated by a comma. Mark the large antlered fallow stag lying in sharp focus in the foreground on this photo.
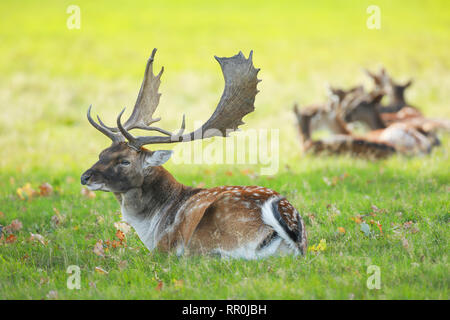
<point>232,221</point>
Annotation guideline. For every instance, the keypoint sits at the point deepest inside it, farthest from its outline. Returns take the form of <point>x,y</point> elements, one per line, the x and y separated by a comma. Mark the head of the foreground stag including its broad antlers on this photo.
<point>126,163</point>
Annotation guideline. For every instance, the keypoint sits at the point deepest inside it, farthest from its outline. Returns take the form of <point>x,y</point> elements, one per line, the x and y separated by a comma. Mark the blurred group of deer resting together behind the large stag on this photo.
<point>395,127</point>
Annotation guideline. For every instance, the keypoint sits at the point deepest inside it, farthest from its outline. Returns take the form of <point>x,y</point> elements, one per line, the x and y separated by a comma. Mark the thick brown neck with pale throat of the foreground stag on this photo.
<point>153,208</point>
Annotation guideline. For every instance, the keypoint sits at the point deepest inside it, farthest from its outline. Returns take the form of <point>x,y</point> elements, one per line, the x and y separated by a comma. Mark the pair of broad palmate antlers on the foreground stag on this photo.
<point>237,101</point>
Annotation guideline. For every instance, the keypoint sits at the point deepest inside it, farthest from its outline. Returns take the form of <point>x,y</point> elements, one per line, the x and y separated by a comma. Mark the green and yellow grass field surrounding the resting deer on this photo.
<point>49,75</point>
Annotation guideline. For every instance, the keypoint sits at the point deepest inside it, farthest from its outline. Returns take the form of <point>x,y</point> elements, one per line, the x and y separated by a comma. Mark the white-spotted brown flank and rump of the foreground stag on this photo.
<point>248,222</point>
